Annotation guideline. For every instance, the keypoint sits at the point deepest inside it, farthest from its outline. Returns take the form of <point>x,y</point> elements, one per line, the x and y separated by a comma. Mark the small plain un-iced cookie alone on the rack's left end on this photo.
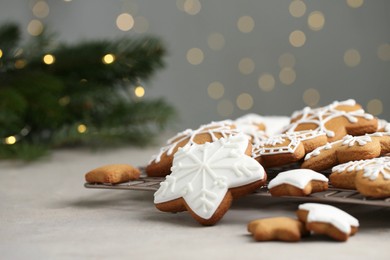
<point>112,173</point>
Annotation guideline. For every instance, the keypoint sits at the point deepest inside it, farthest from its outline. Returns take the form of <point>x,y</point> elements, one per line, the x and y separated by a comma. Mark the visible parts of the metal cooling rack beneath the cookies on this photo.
<point>333,194</point>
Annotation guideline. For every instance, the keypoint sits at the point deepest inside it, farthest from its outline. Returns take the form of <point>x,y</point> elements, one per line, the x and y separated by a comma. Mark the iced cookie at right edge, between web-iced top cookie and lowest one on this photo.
<point>350,148</point>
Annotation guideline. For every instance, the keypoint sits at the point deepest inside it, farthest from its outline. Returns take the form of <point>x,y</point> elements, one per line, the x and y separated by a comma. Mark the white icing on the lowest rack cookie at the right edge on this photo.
<point>371,167</point>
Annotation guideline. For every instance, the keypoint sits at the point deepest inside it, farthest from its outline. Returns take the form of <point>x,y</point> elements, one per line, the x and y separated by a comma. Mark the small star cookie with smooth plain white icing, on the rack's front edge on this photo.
<point>299,182</point>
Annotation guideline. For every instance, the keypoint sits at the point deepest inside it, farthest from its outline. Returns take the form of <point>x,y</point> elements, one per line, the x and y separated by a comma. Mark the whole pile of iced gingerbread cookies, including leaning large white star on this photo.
<point>208,167</point>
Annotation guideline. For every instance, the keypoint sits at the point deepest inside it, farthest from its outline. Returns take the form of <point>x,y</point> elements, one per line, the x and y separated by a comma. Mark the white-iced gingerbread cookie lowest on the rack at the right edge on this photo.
<point>370,177</point>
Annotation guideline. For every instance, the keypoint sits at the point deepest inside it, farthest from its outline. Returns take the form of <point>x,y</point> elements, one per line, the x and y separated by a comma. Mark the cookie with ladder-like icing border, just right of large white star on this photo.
<point>287,148</point>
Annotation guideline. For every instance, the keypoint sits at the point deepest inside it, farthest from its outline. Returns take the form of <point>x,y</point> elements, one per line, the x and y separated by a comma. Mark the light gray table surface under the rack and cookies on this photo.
<point>46,213</point>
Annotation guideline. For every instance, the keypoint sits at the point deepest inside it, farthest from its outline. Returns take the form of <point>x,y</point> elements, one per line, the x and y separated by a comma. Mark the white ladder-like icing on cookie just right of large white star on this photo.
<point>267,147</point>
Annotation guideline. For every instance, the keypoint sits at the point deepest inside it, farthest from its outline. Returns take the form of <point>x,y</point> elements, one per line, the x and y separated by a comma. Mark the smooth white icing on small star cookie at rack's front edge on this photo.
<point>298,178</point>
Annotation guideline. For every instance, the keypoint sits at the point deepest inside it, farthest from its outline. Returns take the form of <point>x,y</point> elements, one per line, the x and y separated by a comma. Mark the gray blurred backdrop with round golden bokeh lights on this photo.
<point>228,58</point>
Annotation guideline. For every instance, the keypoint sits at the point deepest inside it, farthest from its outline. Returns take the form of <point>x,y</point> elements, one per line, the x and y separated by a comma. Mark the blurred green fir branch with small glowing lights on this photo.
<point>78,99</point>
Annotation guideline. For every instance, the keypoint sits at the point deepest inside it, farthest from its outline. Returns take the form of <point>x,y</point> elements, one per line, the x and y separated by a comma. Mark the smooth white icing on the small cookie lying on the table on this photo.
<point>329,214</point>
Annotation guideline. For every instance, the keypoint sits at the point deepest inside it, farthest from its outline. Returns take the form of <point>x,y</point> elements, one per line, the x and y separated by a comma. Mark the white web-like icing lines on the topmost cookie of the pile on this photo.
<point>320,116</point>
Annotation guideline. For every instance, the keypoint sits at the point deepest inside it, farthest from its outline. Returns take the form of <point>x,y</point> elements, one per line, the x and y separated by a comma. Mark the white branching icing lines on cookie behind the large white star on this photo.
<point>223,127</point>
